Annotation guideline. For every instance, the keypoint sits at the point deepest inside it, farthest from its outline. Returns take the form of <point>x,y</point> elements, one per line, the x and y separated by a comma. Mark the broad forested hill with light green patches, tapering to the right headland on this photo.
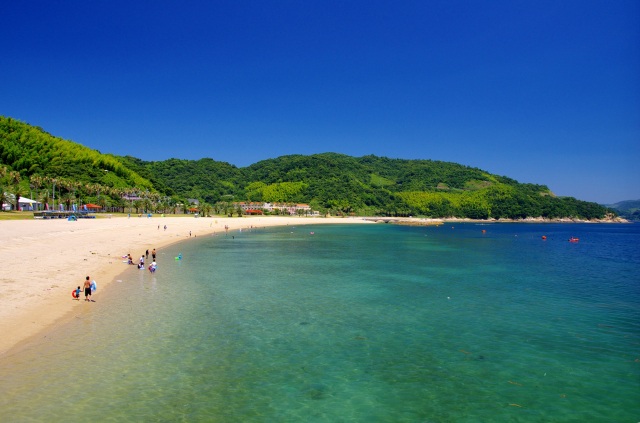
<point>383,186</point>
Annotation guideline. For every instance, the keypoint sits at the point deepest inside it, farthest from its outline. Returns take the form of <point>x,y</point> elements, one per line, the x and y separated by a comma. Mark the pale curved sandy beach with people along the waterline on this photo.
<point>44,260</point>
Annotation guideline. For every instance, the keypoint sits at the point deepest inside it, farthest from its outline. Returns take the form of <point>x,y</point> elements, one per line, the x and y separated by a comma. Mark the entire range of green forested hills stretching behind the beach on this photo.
<point>329,182</point>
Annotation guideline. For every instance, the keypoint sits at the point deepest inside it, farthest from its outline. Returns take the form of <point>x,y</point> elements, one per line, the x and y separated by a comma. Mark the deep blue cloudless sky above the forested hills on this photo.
<point>545,92</point>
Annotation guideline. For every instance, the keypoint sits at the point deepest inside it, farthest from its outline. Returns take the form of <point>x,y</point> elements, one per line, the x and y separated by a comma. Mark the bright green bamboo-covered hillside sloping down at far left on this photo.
<point>56,171</point>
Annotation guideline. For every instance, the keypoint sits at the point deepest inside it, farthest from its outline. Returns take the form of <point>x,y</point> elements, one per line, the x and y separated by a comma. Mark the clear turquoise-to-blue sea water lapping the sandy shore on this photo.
<point>353,323</point>
